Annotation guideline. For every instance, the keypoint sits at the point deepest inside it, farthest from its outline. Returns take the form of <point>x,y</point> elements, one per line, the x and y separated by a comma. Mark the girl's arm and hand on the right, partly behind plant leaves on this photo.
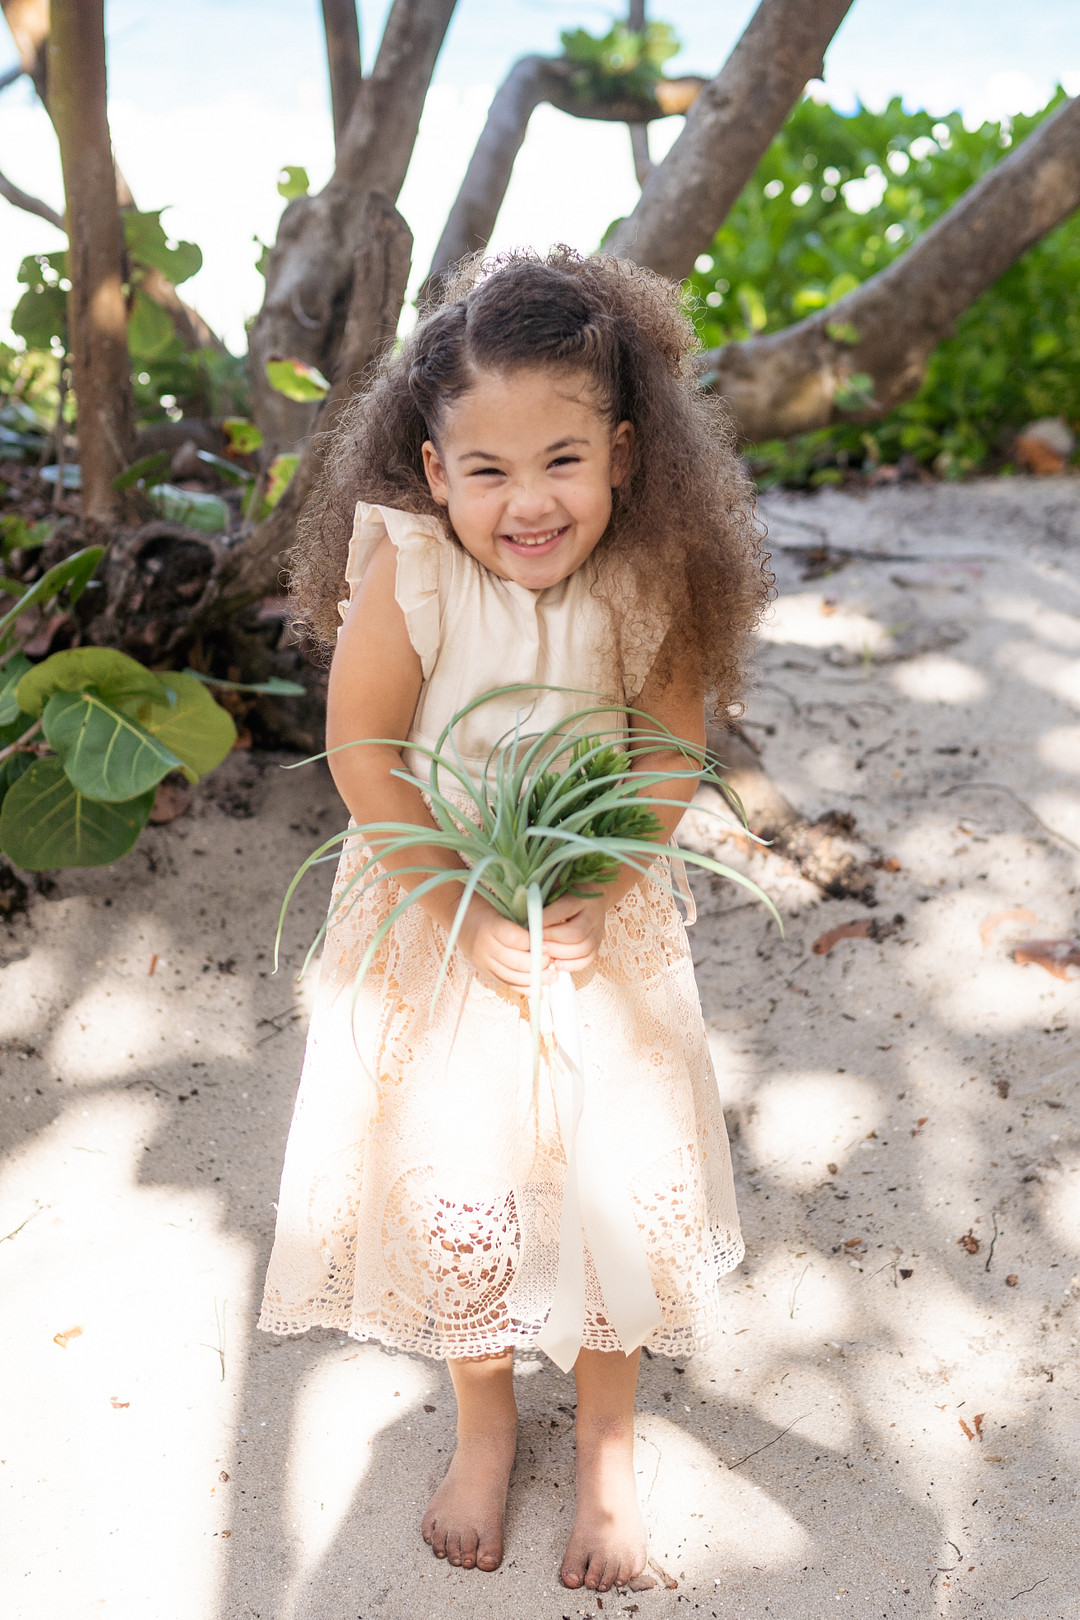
<point>576,927</point>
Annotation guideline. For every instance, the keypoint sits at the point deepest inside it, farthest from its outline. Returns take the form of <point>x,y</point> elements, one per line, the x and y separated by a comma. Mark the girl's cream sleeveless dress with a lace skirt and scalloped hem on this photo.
<point>425,1170</point>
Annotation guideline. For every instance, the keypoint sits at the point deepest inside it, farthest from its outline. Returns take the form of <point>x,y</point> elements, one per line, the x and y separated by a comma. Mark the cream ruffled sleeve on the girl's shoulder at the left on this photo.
<point>423,565</point>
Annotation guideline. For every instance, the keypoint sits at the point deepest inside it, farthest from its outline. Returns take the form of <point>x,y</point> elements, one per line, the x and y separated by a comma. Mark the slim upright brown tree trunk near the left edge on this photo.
<point>98,318</point>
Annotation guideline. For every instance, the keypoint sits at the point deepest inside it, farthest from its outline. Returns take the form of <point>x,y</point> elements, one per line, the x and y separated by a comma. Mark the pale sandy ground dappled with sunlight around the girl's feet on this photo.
<point>890,1425</point>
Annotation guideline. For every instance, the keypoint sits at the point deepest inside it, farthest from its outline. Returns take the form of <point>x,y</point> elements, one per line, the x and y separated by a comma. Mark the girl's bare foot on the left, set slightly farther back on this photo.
<point>464,1519</point>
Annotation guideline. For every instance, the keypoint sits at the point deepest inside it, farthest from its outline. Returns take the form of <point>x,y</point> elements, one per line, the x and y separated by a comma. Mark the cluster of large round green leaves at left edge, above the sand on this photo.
<point>114,728</point>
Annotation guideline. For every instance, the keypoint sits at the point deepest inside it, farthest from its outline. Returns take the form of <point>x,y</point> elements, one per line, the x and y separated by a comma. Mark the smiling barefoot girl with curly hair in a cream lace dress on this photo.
<point>532,492</point>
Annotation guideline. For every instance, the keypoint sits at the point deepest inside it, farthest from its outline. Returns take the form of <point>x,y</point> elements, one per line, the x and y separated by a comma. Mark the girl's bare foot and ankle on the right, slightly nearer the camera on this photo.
<point>608,1545</point>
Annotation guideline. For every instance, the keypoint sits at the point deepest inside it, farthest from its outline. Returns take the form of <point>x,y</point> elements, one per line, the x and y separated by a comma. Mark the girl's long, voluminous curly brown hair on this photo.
<point>682,524</point>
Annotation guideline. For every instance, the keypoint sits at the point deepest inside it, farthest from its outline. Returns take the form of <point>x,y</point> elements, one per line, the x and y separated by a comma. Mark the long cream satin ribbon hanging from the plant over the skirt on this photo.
<point>597,1206</point>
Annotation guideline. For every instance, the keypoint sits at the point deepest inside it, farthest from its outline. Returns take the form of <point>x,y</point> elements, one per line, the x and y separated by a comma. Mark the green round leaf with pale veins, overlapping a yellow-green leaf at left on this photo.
<point>104,754</point>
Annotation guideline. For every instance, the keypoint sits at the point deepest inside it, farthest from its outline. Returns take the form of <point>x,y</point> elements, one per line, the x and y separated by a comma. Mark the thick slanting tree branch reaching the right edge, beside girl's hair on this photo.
<point>788,383</point>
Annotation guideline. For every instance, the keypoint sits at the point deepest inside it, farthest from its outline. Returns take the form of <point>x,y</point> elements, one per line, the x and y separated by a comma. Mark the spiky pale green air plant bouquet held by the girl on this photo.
<point>555,812</point>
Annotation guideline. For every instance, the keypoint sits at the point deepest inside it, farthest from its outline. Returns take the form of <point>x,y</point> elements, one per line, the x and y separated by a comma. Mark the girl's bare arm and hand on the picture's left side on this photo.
<point>375,688</point>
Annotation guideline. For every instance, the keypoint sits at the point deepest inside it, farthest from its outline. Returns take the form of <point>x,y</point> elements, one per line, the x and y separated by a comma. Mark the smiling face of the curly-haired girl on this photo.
<point>527,466</point>
